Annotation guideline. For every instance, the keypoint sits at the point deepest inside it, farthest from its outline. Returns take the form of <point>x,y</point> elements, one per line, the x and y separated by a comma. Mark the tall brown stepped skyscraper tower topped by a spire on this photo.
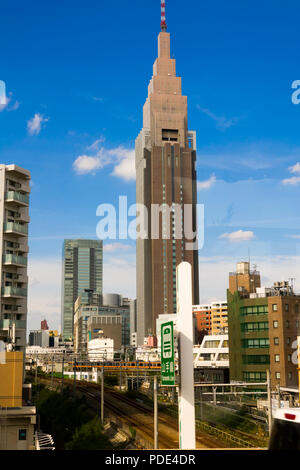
<point>166,177</point>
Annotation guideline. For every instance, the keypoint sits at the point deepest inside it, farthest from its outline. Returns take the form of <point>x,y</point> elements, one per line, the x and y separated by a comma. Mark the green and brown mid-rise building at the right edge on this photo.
<point>263,328</point>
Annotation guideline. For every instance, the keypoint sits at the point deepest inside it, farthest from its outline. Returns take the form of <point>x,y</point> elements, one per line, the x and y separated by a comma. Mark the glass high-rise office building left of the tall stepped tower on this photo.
<point>82,271</point>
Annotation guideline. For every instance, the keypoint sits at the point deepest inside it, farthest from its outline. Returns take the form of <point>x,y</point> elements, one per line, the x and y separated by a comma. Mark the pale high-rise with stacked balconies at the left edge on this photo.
<point>14,219</point>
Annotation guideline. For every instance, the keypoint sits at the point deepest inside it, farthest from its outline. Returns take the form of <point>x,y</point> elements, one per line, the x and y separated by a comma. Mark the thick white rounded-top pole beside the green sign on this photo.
<point>186,399</point>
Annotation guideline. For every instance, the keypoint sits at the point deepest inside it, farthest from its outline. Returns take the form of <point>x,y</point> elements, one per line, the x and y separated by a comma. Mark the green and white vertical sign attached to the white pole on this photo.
<point>167,354</point>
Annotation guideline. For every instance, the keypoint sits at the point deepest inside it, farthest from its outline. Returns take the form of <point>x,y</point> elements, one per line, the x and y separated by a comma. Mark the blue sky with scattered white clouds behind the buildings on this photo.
<point>76,78</point>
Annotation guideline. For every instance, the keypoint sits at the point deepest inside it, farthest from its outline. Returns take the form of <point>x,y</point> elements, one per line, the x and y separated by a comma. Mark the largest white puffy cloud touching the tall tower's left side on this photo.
<point>122,158</point>
